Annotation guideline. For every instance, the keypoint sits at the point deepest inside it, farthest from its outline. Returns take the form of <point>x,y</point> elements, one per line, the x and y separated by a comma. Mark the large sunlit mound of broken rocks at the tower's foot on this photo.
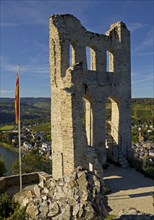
<point>78,196</point>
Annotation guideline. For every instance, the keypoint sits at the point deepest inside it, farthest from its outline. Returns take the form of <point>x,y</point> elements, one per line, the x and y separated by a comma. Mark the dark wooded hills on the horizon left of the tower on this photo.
<point>32,110</point>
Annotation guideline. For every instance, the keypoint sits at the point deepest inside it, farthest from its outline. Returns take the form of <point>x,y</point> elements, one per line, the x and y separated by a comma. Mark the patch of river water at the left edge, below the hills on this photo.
<point>8,157</point>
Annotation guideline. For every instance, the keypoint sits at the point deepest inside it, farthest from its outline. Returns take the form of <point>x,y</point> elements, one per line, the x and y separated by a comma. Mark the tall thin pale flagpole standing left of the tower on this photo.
<point>19,134</point>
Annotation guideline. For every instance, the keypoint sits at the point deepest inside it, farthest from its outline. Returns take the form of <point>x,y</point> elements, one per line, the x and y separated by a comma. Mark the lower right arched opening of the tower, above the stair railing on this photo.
<point>112,121</point>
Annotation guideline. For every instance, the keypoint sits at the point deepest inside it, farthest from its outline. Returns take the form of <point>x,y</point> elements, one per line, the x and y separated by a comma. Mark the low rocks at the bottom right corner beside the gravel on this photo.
<point>133,214</point>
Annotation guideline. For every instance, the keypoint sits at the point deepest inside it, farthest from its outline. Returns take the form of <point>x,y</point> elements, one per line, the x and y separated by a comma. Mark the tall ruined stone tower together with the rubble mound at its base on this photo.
<point>83,137</point>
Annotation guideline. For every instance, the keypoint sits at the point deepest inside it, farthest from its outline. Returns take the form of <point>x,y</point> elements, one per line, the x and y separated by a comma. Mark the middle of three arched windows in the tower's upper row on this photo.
<point>91,58</point>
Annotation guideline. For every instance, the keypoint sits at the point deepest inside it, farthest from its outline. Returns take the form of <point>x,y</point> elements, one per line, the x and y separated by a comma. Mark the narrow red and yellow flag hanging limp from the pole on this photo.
<point>17,100</point>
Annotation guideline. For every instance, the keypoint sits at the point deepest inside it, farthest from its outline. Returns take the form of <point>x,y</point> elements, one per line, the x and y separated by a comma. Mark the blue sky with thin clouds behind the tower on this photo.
<point>25,35</point>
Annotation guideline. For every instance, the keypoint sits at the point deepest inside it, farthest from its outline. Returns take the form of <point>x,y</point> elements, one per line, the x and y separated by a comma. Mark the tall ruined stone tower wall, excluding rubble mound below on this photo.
<point>79,92</point>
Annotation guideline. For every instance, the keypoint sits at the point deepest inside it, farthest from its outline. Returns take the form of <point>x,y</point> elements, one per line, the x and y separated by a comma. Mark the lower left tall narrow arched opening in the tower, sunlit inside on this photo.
<point>88,121</point>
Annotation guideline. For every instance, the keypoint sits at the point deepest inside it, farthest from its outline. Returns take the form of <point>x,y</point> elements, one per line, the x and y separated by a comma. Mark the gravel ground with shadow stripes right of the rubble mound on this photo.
<point>129,189</point>
